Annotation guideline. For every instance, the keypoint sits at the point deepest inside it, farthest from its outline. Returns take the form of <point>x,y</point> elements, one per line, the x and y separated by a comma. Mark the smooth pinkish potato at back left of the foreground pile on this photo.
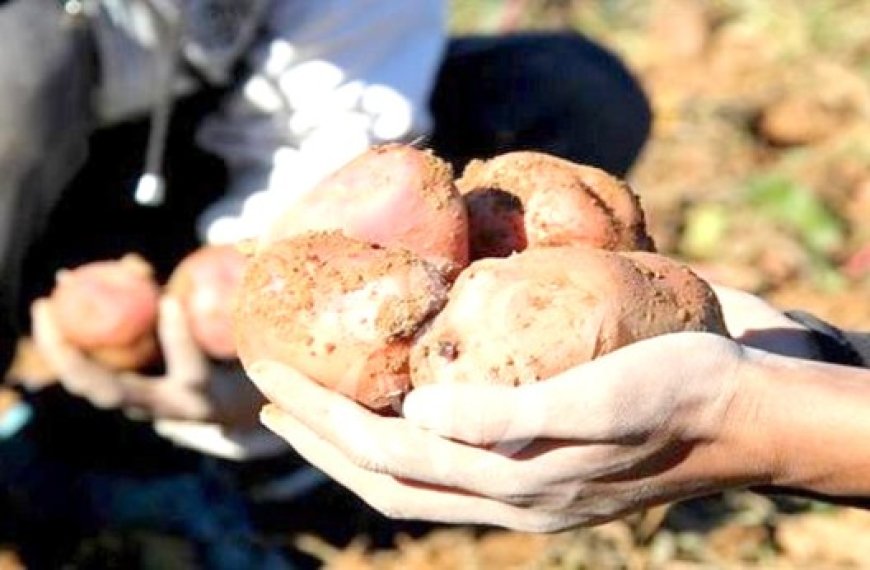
<point>393,195</point>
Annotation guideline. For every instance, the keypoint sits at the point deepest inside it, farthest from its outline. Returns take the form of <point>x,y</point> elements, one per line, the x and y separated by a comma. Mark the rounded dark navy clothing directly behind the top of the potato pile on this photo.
<point>552,92</point>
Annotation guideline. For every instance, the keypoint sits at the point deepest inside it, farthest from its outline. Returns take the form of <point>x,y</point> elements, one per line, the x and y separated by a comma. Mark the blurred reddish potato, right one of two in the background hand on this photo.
<point>205,282</point>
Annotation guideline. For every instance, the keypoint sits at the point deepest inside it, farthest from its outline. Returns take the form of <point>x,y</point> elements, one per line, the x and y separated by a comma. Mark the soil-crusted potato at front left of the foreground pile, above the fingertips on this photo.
<point>338,310</point>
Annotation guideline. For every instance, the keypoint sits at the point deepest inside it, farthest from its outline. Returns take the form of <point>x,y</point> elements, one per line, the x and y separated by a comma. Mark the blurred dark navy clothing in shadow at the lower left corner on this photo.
<point>73,472</point>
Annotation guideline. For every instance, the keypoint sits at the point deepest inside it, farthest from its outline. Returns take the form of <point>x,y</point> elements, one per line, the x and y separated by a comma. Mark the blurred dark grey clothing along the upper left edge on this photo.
<point>46,73</point>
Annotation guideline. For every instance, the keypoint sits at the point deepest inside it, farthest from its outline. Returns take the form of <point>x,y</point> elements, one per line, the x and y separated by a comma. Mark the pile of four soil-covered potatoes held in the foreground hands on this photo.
<point>393,273</point>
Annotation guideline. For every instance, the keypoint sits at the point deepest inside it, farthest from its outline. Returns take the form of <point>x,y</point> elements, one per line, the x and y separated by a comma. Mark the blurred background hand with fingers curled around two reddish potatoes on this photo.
<point>193,388</point>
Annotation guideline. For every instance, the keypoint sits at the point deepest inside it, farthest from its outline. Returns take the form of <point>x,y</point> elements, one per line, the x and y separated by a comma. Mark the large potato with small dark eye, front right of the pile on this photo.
<point>537,313</point>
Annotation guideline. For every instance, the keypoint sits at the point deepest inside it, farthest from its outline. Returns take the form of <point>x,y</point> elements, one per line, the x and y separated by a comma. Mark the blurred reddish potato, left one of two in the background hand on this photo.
<point>109,310</point>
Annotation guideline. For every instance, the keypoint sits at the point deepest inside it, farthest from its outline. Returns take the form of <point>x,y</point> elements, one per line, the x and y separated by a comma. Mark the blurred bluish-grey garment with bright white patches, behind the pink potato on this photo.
<point>329,79</point>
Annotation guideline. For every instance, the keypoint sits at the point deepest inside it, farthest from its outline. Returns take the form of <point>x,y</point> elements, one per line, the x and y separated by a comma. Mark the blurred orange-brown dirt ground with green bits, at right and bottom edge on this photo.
<point>758,174</point>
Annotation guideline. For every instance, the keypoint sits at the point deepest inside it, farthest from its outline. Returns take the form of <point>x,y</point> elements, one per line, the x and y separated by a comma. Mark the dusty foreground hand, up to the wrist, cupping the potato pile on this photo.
<point>653,422</point>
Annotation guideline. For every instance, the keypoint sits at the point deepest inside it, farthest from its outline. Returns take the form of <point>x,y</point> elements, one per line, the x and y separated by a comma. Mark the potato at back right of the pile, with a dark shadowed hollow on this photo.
<point>531,199</point>
